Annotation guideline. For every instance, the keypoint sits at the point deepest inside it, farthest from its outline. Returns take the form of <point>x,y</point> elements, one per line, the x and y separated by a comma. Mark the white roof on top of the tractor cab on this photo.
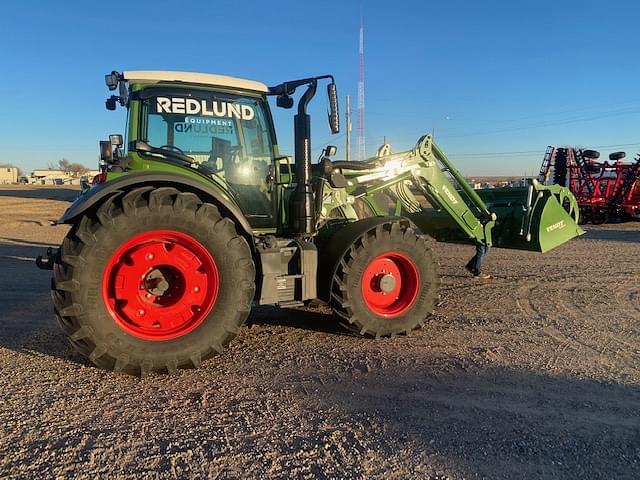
<point>157,76</point>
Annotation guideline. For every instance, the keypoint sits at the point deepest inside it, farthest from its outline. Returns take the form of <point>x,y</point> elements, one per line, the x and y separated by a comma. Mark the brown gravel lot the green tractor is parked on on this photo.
<point>533,374</point>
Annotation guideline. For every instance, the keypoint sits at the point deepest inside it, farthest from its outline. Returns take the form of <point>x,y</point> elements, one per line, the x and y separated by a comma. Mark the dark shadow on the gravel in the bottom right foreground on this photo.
<point>489,422</point>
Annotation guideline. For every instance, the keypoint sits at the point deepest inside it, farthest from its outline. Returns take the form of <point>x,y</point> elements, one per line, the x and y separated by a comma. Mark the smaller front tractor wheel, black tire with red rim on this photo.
<point>390,259</point>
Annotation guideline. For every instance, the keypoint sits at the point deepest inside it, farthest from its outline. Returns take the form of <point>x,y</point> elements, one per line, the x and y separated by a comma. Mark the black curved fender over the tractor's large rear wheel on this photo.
<point>97,194</point>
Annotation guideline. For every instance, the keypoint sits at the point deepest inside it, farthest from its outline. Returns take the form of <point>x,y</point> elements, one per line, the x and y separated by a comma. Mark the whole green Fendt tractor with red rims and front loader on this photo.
<point>197,217</point>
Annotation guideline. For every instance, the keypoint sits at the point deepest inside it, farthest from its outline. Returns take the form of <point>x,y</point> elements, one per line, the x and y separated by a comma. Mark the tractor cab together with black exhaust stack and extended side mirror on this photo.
<point>221,128</point>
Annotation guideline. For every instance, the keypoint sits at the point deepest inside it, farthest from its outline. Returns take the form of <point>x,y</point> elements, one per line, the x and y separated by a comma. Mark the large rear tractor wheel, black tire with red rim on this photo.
<point>91,303</point>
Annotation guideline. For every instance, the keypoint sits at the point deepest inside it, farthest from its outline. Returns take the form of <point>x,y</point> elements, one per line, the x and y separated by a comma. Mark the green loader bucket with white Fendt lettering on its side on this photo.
<point>536,218</point>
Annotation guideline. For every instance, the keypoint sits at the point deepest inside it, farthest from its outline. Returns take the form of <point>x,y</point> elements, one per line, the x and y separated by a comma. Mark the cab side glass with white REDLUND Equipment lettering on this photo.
<point>226,135</point>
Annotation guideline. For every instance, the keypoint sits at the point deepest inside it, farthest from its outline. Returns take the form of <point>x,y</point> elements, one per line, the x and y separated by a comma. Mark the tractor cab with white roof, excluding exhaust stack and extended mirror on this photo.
<point>218,126</point>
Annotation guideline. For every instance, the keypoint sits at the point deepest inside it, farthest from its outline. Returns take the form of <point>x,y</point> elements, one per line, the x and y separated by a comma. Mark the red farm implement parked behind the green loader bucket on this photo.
<point>603,189</point>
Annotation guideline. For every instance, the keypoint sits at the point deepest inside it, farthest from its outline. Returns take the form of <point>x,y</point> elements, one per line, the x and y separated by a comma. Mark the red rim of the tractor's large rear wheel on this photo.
<point>160,285</point>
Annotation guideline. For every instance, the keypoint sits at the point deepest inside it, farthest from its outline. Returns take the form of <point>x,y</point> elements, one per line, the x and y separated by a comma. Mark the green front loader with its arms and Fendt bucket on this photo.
<point>536,218</point>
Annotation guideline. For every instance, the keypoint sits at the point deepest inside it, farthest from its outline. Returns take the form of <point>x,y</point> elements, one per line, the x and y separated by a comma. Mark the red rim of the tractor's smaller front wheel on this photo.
<point>390,284</point>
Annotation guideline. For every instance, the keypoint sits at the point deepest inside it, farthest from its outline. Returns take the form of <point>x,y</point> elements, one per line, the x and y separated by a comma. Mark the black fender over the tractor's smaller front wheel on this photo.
<point>333,251</point>
